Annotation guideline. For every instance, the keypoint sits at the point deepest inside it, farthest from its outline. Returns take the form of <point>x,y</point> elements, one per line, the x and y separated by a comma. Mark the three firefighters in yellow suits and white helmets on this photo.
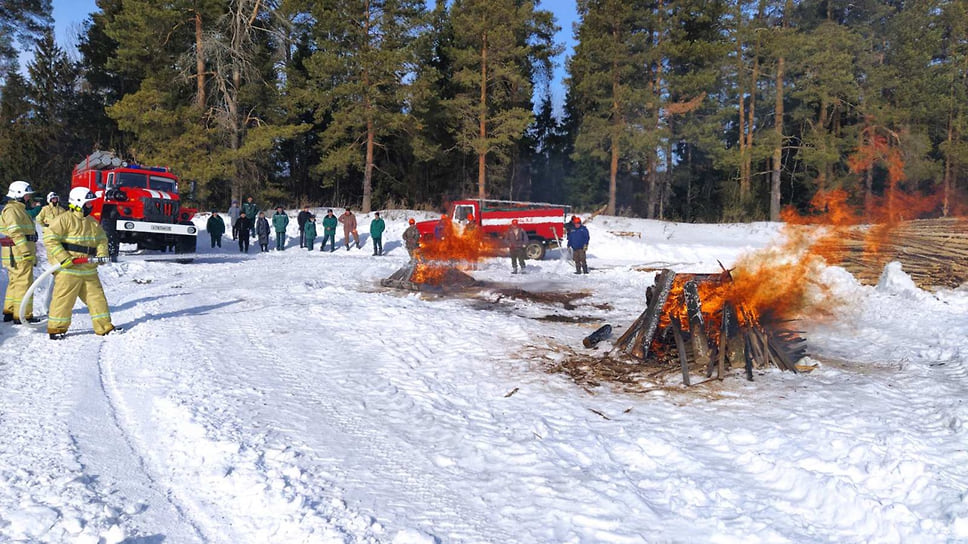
<point>71,237</point>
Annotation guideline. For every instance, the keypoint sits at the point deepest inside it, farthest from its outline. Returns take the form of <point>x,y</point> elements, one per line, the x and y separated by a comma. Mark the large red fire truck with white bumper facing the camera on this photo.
<point>137,204</point>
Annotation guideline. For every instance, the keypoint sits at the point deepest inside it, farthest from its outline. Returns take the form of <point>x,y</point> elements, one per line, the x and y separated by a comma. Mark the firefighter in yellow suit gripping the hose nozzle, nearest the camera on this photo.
<point>70,235</point>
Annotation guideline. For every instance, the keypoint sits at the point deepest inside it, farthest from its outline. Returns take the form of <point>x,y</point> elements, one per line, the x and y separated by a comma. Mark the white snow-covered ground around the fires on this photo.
<point>287,397</point>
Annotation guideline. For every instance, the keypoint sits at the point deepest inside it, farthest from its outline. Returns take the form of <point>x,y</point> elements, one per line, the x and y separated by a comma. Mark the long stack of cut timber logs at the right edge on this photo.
<point>934,252</point>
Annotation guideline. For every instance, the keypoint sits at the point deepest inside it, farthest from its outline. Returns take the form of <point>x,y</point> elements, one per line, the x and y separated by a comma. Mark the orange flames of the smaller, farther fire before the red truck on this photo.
<point>460,248</point>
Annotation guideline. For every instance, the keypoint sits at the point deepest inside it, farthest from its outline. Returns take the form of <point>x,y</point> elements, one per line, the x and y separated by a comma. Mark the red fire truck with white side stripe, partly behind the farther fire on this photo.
<point>544,223</point>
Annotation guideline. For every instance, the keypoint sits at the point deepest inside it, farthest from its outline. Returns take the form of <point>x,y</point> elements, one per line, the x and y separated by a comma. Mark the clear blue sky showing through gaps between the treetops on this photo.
<point>70,14</point>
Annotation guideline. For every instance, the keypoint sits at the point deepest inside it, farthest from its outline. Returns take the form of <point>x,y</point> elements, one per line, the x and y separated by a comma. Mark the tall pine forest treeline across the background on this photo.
<point>691,110</point>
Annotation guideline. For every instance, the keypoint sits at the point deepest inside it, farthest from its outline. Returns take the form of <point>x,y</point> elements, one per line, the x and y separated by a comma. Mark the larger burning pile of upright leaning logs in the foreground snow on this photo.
<point>692,326</point>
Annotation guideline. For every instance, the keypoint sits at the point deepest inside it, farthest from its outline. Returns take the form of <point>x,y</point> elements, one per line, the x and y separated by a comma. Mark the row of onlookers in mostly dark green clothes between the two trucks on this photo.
<point>243,228</point>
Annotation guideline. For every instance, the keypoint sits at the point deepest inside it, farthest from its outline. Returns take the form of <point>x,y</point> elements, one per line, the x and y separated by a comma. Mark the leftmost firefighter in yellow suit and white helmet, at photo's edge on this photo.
<point>19,257</point>
